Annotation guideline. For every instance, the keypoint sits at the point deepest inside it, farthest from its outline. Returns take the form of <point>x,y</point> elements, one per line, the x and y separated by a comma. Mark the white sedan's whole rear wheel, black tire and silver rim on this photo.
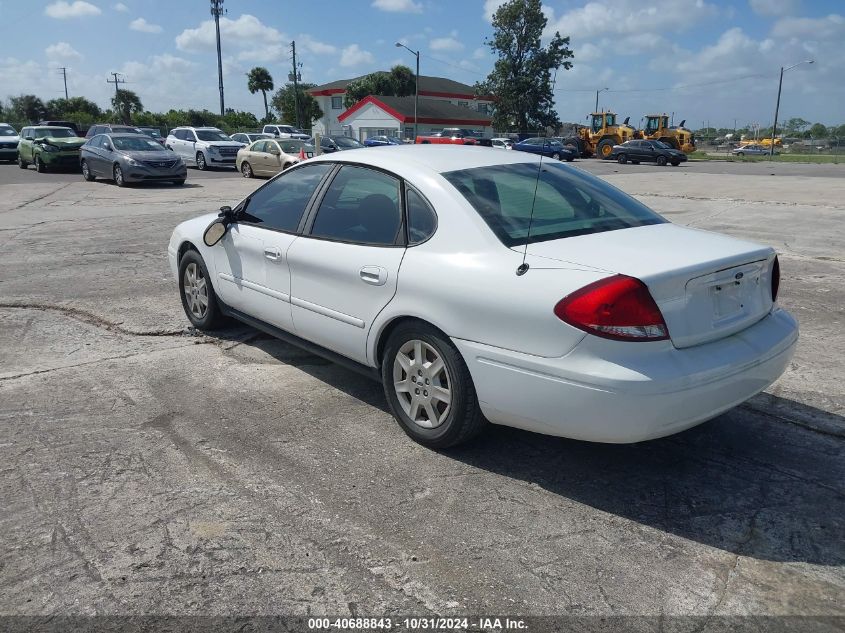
<point>429,388</point>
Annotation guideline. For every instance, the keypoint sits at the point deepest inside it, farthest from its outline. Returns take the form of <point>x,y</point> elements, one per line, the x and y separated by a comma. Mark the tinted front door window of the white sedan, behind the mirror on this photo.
<point>280,204</point>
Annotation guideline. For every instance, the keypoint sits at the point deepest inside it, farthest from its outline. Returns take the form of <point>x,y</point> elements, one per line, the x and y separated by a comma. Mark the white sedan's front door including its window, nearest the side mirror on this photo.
<point>251,265</point>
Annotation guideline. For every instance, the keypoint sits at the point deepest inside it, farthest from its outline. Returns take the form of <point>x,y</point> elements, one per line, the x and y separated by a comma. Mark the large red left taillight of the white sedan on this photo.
<point>619,308</point>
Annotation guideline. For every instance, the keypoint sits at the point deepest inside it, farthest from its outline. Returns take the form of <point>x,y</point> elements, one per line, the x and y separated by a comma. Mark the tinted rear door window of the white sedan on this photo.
<point>361,206</point>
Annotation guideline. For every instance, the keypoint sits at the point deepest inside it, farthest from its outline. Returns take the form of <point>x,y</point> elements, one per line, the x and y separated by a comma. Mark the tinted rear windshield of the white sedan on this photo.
<point>567,202</point>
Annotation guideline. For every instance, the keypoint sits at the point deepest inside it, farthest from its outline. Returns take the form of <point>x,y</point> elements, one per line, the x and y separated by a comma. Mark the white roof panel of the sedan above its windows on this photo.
<point>432,159</point>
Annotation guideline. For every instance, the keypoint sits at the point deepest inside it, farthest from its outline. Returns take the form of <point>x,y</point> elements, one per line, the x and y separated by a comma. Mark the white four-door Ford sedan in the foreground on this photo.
<point>487,286</point>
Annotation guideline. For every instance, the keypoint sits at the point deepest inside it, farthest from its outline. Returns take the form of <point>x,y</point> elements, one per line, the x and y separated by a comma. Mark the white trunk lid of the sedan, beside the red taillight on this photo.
<point>707,286</point>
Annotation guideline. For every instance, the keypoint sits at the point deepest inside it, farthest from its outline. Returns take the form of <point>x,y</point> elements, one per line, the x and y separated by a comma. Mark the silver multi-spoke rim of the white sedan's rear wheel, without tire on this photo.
<point>422,384</point>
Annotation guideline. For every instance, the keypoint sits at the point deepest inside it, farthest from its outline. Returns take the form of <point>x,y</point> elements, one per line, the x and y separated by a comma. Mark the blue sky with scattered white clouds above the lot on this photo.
<point>705,60</point>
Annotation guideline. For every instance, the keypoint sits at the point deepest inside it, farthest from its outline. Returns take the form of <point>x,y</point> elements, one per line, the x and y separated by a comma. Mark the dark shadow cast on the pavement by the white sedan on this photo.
<point>745,482</point>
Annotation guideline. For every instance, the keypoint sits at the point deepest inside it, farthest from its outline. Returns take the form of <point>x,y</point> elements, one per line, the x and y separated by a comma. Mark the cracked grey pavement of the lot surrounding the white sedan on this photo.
<point>150,469</point>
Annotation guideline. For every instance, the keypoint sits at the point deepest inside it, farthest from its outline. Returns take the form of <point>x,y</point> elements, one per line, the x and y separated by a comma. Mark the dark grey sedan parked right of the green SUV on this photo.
<point>127,158</point>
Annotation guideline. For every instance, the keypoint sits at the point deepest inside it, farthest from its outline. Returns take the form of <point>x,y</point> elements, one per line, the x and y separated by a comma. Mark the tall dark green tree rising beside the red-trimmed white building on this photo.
<point>521,78</point>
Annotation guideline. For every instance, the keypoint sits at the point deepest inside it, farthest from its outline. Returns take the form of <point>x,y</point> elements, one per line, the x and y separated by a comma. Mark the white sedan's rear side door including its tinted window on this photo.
<point>345,266</point>
